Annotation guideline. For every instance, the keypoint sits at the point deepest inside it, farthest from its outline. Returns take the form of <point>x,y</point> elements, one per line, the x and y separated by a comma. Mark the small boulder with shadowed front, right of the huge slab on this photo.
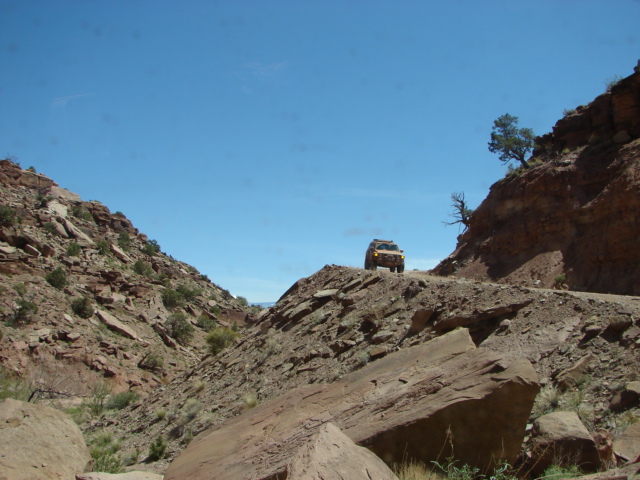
<point>562,439</point>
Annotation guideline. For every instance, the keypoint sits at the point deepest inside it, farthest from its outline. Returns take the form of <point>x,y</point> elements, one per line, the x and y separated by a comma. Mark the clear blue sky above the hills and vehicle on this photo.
<point>260,140</point>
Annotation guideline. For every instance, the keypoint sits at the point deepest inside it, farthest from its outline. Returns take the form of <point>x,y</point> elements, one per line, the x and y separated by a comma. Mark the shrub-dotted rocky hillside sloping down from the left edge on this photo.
<point>87,300</point>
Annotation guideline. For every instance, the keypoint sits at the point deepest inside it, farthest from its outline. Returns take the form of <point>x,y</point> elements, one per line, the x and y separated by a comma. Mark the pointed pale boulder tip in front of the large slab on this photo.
<point>331,455</point>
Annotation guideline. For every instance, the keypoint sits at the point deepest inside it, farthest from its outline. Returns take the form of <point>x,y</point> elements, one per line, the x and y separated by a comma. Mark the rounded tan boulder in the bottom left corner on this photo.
<point>38,442</point>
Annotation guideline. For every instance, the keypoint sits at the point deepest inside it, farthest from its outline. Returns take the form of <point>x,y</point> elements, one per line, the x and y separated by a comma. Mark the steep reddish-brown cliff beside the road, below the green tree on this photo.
<point>573,219</point>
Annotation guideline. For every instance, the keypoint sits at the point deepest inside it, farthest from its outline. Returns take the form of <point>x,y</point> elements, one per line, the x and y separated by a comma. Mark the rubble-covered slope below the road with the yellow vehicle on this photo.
<point>585,350</point>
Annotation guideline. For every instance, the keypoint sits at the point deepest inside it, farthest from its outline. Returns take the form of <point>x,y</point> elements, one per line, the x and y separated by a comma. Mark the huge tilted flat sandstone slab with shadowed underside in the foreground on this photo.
<point>441,397</point>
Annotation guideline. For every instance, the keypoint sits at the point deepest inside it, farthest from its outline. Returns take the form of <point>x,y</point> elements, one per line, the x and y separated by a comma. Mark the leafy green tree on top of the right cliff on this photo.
<point>511,142</point>
